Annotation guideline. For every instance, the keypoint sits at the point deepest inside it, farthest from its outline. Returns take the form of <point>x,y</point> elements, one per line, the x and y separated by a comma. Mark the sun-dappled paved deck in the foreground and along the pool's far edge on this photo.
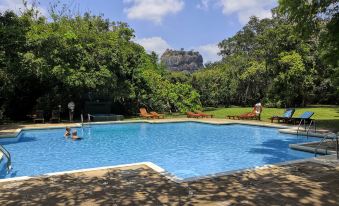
<point>305,182</point>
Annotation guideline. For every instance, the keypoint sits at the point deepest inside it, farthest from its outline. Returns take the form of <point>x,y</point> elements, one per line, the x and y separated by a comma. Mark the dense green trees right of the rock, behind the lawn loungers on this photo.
<point>272,61</point>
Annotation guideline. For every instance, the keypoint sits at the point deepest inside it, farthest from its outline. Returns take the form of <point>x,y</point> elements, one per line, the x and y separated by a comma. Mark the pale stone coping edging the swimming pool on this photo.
<point>160,170</point>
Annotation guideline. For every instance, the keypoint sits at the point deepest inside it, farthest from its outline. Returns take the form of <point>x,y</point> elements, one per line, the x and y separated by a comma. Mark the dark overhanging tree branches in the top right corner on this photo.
<point>314,16</point>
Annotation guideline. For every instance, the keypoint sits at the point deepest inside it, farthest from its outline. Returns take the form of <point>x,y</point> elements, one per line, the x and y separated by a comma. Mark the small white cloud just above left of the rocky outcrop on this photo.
<point>156,44</point>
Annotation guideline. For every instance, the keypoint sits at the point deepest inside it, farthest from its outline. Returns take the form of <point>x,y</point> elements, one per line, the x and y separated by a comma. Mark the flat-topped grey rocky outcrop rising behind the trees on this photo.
<point>182,60</point>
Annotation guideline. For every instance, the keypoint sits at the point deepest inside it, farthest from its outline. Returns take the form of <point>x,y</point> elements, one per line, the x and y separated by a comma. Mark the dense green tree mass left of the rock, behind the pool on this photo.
<point>83,58</point>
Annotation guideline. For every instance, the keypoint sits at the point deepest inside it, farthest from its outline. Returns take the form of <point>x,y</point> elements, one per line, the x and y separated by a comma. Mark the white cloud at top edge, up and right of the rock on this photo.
<point>244,9</point>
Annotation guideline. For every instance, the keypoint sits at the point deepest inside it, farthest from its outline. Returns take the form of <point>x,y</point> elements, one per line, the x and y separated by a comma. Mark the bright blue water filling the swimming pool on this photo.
<point>183,149</point>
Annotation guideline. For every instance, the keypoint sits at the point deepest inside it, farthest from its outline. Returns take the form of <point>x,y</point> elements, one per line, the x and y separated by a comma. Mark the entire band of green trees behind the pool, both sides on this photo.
<point>290,60</point>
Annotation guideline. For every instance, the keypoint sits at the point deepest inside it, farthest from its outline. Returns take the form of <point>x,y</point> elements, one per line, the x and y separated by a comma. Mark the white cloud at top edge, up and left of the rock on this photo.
<point>152,10</point>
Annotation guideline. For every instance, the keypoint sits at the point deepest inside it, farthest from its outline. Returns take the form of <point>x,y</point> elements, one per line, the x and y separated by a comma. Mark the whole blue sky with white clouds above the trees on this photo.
<point>175,24</point>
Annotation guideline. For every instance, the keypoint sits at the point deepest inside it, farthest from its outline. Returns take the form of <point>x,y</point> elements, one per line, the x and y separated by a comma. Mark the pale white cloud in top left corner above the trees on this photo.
<point>17,6</point>
